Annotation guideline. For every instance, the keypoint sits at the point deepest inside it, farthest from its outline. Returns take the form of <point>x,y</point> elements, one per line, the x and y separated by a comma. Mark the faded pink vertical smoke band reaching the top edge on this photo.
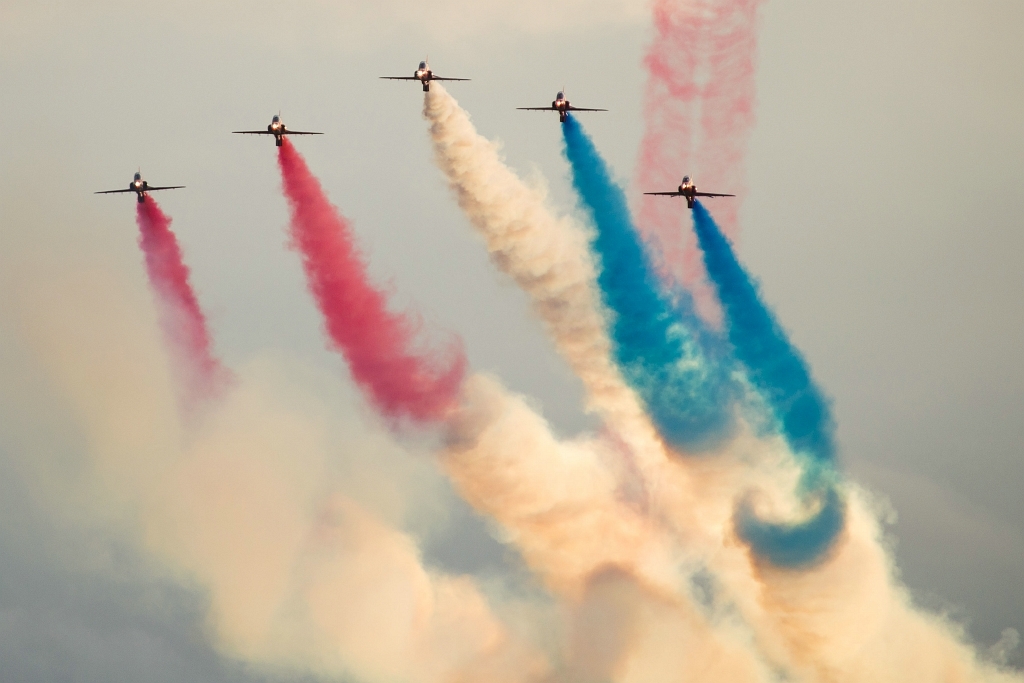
<point>699,110</point>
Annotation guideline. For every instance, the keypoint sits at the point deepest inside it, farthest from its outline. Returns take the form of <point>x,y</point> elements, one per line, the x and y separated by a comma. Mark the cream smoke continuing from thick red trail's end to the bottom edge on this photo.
<point>609,560</point>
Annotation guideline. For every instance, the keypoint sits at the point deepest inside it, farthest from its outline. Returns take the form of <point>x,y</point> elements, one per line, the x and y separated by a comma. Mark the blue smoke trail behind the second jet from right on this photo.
<point>660,344</point>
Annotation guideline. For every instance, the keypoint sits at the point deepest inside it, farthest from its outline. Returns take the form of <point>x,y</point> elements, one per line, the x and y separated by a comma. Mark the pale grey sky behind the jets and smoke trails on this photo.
<point>884,221</point>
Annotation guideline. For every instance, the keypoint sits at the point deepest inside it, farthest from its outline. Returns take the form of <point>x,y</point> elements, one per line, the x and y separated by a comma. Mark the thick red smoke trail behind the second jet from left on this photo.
<point>376,343</point>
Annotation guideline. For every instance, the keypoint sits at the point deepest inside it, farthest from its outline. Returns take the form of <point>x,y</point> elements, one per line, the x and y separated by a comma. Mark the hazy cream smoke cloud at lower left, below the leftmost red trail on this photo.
<point>279,514</point>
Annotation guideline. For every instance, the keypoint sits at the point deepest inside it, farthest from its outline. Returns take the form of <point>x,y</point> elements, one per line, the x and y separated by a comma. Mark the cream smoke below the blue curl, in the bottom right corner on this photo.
<point>850,620</point>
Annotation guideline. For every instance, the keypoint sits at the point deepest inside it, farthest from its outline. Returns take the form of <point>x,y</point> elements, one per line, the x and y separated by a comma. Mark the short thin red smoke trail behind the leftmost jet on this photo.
<point>182,318</point>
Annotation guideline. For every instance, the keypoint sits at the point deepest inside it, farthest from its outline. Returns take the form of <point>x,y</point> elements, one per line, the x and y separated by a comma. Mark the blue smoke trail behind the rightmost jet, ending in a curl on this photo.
<point>777,369</point>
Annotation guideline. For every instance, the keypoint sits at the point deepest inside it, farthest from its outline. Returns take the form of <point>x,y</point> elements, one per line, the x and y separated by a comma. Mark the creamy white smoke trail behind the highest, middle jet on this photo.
<point>548,259</point>
